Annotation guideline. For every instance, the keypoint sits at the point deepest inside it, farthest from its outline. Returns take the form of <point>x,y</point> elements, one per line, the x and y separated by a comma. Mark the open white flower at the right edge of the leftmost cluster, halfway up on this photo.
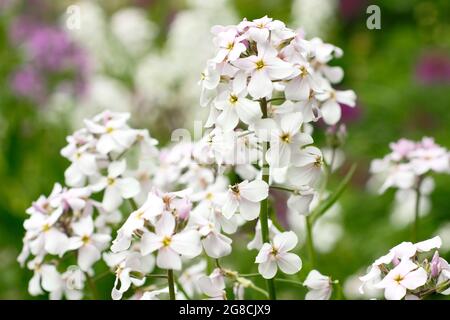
<point>116,187</point>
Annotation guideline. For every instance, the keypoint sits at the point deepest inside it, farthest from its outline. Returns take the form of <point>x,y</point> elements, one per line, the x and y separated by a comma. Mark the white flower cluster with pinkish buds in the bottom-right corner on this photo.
<point>405,272</point>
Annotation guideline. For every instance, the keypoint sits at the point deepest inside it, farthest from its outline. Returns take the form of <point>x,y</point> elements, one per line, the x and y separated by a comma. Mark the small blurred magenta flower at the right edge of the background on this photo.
<point>433,68</point>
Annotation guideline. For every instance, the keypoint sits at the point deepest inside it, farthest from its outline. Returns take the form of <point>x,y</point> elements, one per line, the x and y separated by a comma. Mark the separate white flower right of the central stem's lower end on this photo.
<point>276,254</point>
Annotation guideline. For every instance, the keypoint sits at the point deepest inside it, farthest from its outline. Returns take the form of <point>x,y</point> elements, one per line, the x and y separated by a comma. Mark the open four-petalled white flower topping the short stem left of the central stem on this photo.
<point>170,245</point>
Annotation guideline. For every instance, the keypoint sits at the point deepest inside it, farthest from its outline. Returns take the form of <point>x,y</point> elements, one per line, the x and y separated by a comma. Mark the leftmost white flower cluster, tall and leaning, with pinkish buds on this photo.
<point>73,224</point>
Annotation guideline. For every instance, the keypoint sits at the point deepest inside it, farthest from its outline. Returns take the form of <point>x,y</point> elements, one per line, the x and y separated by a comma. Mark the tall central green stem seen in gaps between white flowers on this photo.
<point>264,212</point>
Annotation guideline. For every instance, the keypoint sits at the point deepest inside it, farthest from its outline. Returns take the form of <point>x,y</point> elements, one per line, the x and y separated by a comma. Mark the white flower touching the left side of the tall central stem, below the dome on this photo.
<point>246,197</point>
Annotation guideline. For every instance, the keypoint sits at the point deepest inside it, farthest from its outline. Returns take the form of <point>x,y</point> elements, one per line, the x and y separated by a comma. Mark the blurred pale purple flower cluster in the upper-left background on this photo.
<point>52,62</point>
